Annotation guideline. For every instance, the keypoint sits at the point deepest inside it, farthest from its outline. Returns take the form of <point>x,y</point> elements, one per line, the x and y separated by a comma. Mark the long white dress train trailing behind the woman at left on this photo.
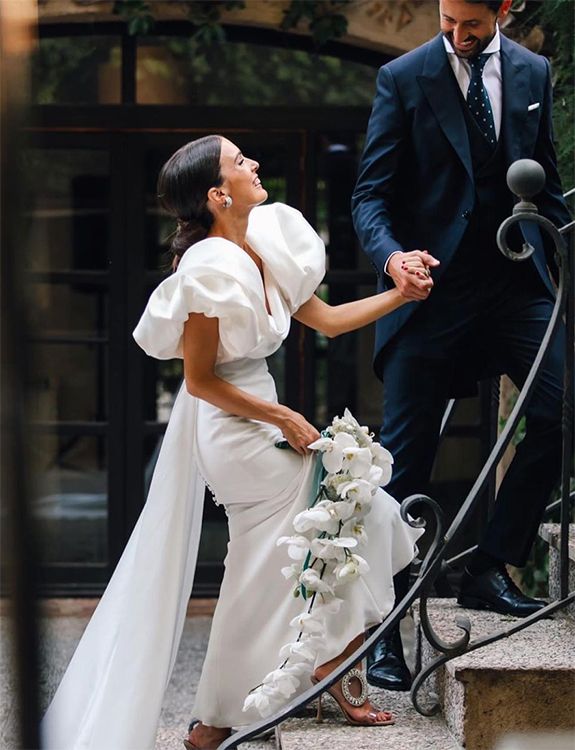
<point>111,694</point>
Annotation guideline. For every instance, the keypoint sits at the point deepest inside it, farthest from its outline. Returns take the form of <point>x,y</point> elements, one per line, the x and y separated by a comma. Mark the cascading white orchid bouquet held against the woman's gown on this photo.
<point>324,550</point>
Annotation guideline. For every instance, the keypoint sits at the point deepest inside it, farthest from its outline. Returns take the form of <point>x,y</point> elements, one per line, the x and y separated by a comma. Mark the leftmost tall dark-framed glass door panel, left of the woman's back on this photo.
<point>68,288</point>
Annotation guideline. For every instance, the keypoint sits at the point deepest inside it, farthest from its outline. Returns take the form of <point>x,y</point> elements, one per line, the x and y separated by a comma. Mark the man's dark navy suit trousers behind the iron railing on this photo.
<point>497,319</point>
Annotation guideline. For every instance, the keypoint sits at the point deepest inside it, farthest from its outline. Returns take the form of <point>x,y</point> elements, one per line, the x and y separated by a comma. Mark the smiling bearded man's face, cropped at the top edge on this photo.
<point>469,27</point>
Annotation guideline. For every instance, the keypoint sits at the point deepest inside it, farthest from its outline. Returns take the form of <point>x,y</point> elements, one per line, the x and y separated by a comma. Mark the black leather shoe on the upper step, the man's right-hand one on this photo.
<point>494,590</point>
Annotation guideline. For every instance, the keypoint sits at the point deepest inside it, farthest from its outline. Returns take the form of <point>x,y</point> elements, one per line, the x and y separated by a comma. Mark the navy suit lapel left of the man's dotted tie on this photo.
<point>442,92</point>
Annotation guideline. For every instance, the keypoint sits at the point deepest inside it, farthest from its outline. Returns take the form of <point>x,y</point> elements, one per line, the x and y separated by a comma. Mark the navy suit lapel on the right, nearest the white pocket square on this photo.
<point>515,94</point>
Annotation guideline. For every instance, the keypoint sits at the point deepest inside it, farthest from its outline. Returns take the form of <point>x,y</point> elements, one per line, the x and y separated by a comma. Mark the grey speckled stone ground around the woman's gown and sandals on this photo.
<point>59,638</point>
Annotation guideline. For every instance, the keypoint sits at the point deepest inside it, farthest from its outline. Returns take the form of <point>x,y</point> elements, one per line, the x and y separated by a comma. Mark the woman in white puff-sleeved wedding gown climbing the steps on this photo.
<point>242,270</point>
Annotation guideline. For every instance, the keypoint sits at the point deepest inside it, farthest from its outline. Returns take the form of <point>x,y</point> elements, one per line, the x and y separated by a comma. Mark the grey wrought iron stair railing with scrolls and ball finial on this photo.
<point>525,178</point>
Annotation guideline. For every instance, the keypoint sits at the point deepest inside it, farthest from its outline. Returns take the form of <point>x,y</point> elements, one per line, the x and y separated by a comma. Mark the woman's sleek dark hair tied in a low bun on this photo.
<point>183,186</point>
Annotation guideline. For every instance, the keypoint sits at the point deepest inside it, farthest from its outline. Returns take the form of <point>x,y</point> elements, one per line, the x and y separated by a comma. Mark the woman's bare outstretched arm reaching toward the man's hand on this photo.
<point>334,320</point>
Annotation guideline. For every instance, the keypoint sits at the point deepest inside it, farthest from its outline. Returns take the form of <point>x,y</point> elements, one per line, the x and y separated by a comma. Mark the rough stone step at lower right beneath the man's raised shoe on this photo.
<point>523,683</point>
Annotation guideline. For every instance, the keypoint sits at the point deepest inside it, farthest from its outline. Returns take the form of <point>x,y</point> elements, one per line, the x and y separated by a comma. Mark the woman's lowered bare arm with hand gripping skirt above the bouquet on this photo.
<point>201,337</point>
